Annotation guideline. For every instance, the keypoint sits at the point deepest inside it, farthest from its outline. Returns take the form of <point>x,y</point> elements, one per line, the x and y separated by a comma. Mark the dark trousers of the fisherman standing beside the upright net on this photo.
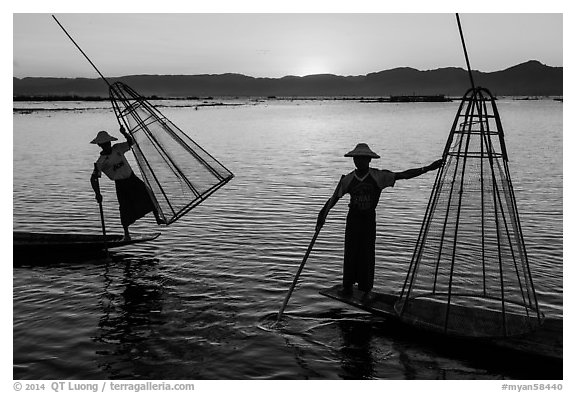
<point>359,249</point>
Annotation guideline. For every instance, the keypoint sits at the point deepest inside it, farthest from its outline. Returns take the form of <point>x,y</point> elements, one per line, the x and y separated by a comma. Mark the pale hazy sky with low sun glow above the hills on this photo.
<point>279,44</point>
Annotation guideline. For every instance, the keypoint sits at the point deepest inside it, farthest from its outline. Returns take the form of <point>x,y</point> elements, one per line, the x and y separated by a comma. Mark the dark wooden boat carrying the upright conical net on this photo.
<point>542,348</point>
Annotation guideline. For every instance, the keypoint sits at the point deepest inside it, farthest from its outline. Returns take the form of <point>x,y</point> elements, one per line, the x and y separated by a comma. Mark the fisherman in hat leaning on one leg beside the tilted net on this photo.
<point>133,196</point>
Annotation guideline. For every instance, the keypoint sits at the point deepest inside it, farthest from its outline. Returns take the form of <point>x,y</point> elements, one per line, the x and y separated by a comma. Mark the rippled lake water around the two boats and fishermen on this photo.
<point>197,302</point>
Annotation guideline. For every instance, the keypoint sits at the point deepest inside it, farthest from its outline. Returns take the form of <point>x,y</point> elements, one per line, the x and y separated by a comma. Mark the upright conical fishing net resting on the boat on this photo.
<point>469,273</point>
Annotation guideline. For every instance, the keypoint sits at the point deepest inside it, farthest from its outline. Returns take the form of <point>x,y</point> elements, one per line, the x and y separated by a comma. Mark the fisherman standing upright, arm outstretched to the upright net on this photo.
<point>364,185</point>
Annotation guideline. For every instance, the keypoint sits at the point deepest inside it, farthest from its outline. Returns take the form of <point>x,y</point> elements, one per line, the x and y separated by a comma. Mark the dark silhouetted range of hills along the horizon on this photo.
<point>527,79</point>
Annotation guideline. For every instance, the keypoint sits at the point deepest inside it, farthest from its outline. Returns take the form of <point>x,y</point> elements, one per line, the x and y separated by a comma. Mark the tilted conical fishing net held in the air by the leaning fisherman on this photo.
<point>179,173</point>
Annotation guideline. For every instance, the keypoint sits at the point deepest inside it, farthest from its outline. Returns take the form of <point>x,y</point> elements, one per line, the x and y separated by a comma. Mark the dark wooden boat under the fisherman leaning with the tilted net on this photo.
<point>33,244</point>
